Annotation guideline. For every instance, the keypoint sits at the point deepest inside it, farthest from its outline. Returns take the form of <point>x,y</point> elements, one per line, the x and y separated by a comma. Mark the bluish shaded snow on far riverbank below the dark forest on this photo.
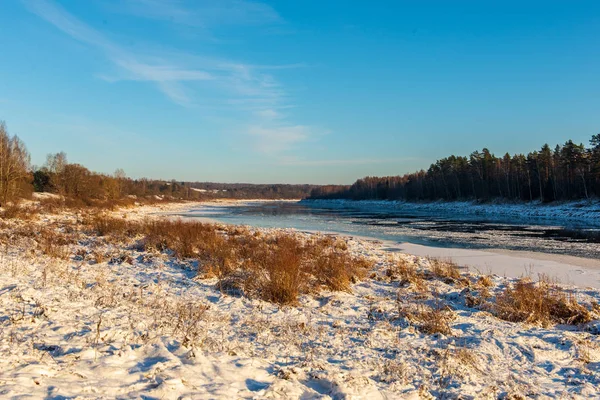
<point>589,211</point>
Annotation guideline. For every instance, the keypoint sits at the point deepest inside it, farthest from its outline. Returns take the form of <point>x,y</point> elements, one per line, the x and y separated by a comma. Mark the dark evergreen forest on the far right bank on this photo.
<point>567,172</point>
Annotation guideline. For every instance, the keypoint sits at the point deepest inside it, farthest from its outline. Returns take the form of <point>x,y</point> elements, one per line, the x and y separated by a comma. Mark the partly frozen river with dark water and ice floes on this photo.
<point>414,225</point>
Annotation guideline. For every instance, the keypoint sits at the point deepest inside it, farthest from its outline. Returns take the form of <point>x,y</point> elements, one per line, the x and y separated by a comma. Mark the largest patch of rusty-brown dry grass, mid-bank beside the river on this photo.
<point>276,268</point>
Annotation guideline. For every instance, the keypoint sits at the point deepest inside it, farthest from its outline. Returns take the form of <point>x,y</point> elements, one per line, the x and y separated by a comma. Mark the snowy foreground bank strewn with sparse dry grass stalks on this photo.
<point>137,324</point>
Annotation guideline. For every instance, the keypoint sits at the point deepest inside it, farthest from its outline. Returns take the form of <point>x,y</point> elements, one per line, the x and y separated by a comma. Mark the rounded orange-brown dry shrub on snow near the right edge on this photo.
<point>542,302</point>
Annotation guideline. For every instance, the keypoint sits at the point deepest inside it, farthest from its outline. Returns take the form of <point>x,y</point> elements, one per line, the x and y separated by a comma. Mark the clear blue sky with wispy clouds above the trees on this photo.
<point>294,91</point>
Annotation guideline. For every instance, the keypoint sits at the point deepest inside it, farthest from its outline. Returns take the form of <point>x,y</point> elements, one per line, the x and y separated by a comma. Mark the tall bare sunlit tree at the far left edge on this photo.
<point>14,164</point>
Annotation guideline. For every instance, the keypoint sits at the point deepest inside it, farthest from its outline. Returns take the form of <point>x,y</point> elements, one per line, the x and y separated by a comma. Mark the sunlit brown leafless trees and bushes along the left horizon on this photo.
<point>18,179</point>
